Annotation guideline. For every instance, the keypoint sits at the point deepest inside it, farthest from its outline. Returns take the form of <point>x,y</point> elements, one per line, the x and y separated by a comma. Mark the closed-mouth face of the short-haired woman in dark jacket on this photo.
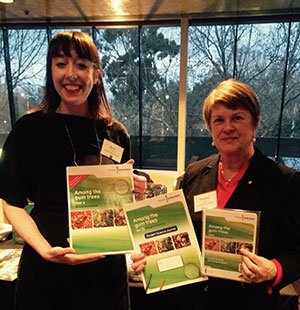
<point>232,130</point>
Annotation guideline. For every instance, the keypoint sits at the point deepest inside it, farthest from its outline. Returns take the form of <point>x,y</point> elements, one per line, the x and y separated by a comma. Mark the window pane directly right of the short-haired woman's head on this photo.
<point>261,54</point>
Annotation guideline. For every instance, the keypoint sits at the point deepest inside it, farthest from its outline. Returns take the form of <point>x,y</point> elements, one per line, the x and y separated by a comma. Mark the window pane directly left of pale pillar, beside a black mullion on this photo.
<point>160,94</point>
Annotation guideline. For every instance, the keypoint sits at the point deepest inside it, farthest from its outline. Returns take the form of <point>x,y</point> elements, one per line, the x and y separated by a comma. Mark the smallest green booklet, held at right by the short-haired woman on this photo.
<point>225,232</point>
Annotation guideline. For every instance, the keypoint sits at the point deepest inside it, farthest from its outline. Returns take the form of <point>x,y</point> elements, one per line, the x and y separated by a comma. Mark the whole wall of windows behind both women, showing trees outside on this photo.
<point>141,76</point>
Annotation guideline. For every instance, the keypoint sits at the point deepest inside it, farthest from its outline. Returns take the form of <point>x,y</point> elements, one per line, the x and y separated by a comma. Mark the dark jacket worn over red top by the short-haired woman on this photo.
<point>268,187</point>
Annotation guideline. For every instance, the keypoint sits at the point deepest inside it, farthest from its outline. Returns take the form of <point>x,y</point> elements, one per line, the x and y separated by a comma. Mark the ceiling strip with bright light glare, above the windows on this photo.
<point>91,11</point>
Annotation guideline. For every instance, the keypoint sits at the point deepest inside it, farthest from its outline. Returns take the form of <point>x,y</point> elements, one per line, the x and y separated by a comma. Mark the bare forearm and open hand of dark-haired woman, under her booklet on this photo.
<point>28,230</point>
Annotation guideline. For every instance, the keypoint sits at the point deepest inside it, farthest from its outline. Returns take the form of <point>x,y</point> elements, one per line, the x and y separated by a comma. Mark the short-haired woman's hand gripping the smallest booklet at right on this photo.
<point>256,268</point>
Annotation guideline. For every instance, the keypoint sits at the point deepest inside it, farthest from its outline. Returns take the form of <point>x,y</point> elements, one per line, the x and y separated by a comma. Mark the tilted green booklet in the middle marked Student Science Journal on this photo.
<point>161,229</point>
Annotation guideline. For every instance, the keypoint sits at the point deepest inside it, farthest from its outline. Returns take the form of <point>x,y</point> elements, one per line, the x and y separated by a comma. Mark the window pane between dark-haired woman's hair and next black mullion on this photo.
<point>118,50</point>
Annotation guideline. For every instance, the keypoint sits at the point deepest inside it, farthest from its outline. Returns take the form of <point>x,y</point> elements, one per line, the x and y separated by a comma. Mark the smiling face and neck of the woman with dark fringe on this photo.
<point>73,79</point>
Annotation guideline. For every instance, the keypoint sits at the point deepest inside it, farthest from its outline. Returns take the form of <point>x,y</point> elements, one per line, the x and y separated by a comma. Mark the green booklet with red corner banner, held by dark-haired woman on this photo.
<point>96,195</point>
